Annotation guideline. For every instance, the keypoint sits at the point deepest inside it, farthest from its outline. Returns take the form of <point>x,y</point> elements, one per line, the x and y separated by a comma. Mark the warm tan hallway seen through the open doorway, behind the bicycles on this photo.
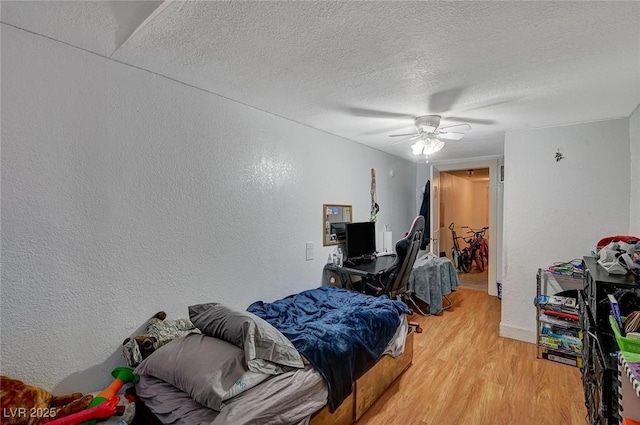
<point>464,201</point>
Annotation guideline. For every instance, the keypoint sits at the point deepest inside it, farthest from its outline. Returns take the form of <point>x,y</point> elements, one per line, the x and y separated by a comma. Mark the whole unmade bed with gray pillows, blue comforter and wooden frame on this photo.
<point>322,357</point>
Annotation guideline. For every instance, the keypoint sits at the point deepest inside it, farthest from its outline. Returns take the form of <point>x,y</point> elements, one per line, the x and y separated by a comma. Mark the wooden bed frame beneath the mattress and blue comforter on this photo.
<point>367,389</point>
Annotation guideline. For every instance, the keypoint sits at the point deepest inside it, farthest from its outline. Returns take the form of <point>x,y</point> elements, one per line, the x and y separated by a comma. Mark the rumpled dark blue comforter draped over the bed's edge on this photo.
<point>342,333</point>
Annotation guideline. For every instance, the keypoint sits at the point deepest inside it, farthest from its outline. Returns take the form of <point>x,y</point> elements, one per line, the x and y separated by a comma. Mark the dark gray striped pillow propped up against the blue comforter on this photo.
<point>266,349</point>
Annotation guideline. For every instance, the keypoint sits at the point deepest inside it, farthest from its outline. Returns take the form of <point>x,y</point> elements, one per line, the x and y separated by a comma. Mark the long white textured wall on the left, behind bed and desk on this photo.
<point>125,193</point>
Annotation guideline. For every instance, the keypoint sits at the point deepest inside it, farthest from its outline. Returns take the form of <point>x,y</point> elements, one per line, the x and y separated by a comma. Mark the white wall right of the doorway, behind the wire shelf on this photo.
<point>557,211</point>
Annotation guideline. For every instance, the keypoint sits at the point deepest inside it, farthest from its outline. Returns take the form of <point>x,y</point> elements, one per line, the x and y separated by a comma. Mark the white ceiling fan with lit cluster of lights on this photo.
<point>430,135</point>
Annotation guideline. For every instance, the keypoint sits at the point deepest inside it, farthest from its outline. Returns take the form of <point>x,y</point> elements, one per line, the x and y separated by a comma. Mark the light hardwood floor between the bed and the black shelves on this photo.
<point>464,373</point>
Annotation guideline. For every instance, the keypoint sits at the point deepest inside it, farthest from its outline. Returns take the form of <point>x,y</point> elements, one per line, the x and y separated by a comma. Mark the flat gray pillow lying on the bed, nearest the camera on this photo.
<point>205,368</point>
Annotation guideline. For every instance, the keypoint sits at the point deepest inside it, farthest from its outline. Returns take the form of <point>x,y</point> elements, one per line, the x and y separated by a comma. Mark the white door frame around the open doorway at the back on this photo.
<point>492,165</point>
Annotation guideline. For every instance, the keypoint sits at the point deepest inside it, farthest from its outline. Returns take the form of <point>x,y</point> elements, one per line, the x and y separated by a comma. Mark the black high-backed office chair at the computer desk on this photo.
<point>394,280</point>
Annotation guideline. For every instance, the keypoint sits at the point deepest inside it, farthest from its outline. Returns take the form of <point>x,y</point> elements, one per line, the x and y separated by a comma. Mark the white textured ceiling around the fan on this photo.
<point>362,70</point>
